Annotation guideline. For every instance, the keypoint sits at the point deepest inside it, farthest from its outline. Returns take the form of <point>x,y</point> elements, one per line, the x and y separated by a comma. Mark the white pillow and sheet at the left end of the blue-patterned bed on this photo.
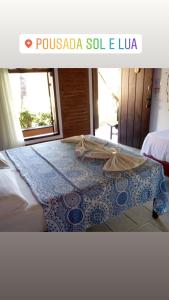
<point>19,209</point>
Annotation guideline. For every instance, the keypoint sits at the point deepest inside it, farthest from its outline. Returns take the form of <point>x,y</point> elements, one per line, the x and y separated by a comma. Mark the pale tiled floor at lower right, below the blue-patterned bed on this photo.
<point>136,219</point>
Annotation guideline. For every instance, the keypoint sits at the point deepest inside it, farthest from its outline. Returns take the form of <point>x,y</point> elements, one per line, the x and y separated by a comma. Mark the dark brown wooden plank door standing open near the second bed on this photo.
<point>135,104</point>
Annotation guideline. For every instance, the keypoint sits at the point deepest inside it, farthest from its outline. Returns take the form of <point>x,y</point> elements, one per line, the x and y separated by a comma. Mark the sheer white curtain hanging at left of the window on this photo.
<point>10,130</point>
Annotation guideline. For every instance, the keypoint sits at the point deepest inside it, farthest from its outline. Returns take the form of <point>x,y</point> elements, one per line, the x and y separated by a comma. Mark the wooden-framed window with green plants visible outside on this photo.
<point>35,100</point>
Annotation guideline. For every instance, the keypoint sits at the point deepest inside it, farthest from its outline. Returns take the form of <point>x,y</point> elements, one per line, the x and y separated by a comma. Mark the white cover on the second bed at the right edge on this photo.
<point>157,144</point>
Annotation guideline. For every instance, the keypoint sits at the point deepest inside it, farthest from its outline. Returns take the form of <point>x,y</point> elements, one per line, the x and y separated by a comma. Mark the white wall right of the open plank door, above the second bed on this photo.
<point>159,117</point>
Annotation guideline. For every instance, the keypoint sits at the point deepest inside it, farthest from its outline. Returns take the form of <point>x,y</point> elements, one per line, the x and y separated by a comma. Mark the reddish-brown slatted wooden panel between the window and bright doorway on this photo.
<point>74,97</point>
